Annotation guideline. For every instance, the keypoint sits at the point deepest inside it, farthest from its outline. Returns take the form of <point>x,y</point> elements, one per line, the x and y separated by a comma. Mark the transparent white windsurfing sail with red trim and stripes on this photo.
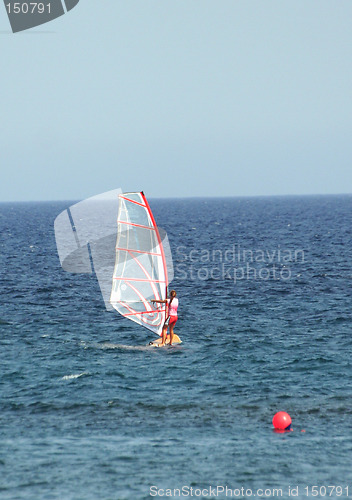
<point>140,273</point>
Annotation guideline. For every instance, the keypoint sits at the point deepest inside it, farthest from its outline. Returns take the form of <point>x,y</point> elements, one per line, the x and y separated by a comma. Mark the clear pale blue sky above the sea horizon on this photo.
<point>178,98</point>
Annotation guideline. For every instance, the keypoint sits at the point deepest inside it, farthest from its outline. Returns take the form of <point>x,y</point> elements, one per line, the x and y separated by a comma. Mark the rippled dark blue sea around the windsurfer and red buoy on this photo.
<point>88,411</point>
